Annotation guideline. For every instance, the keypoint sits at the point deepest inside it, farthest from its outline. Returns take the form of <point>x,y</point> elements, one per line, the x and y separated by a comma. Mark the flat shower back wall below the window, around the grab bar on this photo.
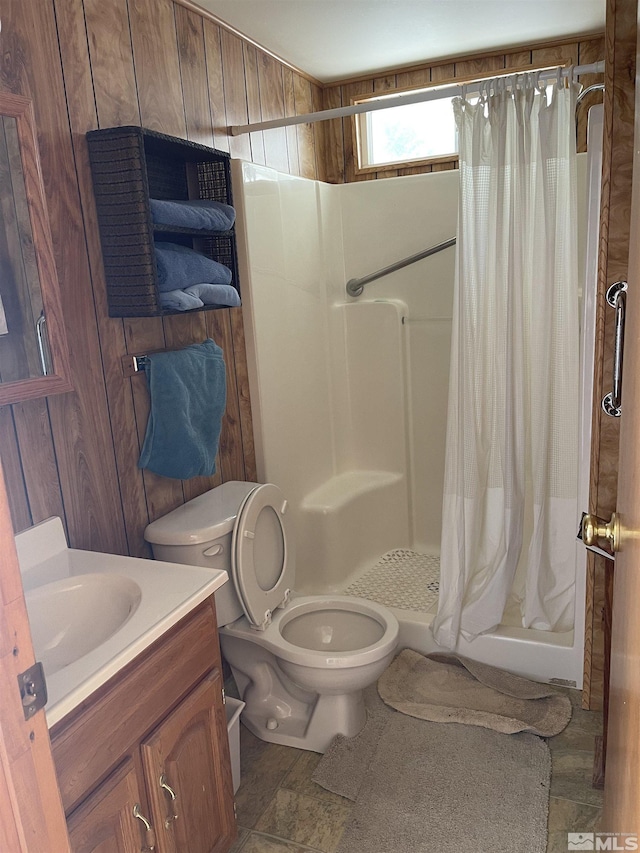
<point>384,222</point>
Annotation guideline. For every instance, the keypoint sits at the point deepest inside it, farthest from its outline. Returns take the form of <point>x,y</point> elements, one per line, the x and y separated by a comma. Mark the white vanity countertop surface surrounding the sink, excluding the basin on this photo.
<point>168,592</point>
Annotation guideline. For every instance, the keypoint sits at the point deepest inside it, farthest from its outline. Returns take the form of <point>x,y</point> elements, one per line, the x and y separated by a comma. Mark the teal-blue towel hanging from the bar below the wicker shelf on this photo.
<point>188,398</point>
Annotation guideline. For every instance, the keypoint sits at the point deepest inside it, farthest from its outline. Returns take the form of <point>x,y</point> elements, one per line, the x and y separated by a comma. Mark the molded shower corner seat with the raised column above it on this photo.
<point>363,510</point>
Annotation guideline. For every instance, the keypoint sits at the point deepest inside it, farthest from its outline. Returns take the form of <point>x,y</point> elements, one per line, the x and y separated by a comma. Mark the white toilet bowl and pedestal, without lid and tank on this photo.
<point>301,696</point>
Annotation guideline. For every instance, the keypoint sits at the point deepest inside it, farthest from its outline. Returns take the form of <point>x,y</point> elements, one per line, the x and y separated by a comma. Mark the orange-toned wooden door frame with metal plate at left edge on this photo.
<point>31,813</point>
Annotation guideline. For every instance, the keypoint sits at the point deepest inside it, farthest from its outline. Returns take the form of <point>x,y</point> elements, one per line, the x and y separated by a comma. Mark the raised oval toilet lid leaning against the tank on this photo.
<point>261,561</point>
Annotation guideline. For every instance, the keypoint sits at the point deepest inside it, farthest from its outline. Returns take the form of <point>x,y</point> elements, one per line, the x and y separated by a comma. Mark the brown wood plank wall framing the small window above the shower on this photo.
<point>340,153</point>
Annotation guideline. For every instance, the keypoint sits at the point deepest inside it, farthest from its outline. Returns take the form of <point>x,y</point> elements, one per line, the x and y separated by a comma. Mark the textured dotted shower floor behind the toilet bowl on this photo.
<point>403,579</point>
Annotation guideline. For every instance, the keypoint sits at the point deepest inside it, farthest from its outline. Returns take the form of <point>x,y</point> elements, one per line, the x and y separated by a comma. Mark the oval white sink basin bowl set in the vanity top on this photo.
<point>71,617</point>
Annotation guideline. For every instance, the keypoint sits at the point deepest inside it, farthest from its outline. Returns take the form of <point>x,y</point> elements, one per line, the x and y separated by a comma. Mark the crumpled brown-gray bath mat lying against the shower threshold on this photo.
<point>452,689</point>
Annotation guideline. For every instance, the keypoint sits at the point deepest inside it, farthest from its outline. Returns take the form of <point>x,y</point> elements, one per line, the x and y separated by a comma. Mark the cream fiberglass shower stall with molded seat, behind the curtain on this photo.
<point>349,396</point>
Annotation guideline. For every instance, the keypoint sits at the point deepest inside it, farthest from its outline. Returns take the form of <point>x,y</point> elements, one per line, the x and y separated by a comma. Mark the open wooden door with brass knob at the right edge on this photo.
<point>622,780</point>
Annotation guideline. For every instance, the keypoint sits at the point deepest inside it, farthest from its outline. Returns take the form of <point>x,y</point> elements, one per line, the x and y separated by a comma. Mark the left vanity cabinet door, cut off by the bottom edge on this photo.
<point>106,821</point>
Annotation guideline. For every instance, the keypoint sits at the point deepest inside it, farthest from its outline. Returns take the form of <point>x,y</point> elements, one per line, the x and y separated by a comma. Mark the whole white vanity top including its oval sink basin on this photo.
<point>92,613</point>
